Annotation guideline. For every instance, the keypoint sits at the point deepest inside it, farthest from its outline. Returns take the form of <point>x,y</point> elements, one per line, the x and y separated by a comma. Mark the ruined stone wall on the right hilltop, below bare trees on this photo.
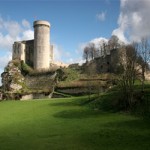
<point>105,59</point>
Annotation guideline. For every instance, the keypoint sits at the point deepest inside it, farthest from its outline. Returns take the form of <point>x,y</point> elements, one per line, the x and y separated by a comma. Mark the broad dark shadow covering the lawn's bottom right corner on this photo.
<point>119,135</point>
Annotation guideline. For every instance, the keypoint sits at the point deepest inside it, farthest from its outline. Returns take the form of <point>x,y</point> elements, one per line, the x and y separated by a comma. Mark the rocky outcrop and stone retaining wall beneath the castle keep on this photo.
<point>17,85</point>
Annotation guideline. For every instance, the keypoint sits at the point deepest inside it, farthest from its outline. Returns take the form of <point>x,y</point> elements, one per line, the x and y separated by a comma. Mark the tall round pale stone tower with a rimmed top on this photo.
<point>41,44</point>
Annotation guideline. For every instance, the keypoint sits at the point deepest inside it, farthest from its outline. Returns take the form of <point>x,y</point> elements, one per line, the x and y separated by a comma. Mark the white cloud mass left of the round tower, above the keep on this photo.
<point>11,31</point>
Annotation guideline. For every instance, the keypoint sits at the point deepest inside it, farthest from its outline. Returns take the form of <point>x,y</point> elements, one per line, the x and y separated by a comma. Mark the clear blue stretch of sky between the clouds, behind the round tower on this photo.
<point>73,22</point>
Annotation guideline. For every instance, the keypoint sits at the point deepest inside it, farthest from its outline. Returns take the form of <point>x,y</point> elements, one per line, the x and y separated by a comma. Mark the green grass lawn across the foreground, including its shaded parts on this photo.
<point>63,124</point>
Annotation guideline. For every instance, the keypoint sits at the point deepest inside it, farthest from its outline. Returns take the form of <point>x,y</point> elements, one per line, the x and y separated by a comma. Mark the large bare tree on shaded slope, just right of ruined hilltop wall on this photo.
<point>128,62</point>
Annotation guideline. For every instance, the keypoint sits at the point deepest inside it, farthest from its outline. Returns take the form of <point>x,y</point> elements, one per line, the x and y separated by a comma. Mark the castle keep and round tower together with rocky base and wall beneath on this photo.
<point>36,53</point>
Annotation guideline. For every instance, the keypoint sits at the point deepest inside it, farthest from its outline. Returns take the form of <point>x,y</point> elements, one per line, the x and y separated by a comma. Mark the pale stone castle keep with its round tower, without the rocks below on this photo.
<point>37,53</point>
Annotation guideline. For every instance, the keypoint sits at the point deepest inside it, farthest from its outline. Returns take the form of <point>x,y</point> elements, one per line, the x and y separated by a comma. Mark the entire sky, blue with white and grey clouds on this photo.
<point>74,23</point>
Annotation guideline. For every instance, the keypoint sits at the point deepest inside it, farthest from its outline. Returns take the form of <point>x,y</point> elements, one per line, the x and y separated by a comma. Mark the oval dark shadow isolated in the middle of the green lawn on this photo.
<point>78,114</point>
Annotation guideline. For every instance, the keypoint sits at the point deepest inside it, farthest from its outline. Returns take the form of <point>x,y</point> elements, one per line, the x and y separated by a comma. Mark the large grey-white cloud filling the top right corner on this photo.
<point>134,20</point>
